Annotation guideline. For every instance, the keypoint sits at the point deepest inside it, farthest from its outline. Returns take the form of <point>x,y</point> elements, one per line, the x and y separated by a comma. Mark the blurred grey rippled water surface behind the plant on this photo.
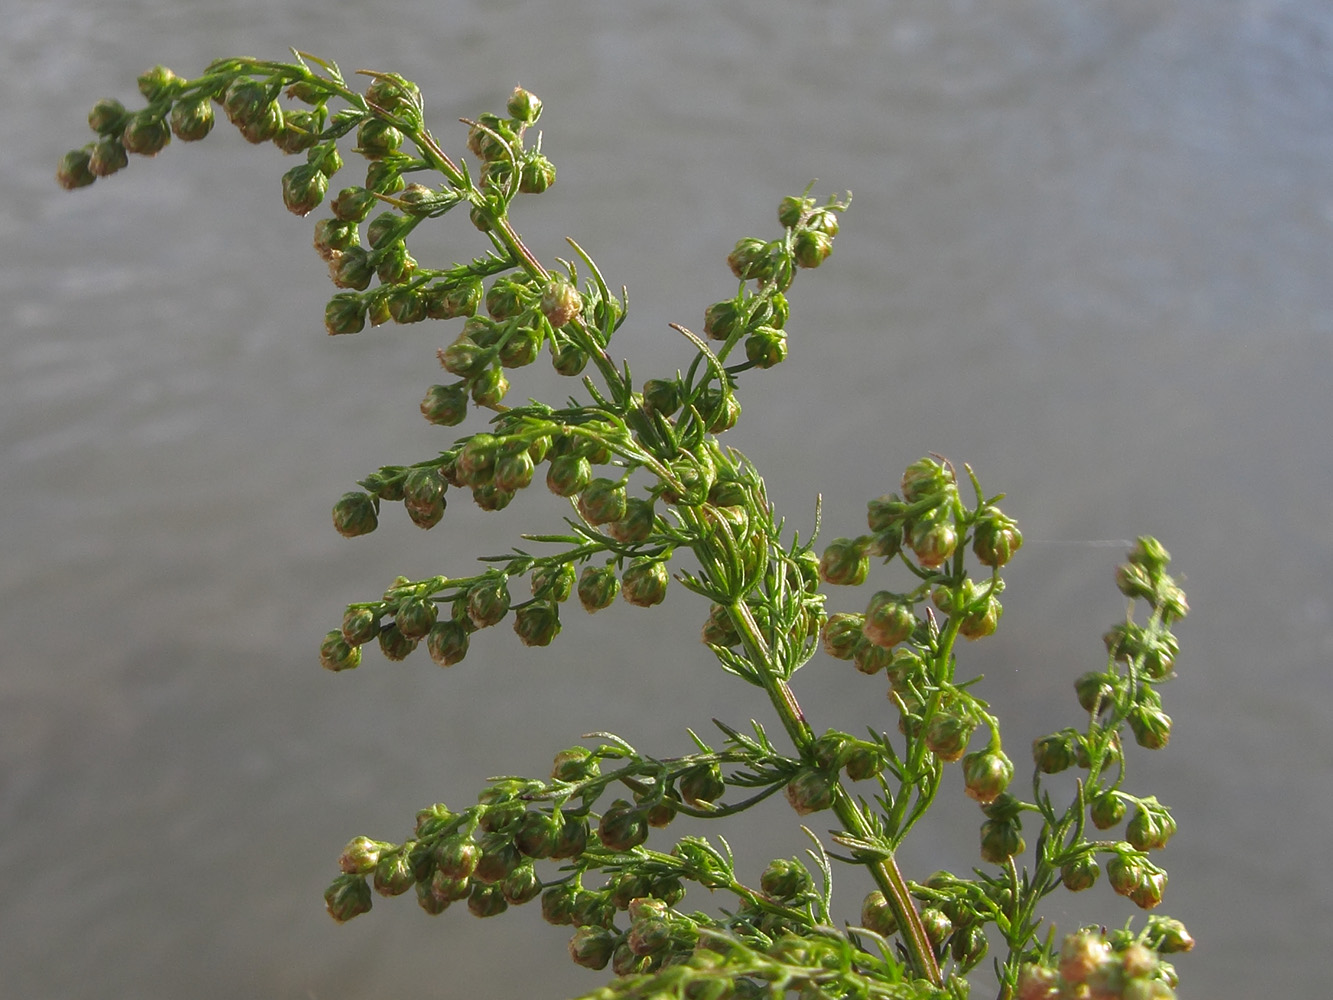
<point>1090,254</point>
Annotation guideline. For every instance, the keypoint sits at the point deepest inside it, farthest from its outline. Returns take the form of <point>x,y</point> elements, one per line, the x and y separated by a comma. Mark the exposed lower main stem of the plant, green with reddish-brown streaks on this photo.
<point>884,870</point>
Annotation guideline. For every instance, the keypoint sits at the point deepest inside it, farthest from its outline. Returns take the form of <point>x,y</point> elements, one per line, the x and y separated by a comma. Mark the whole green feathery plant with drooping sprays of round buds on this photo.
<point>653,495</point>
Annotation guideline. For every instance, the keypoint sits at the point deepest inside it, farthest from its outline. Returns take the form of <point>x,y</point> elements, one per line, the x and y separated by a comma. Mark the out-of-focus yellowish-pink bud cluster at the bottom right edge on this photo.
<point>1096,966</point>
